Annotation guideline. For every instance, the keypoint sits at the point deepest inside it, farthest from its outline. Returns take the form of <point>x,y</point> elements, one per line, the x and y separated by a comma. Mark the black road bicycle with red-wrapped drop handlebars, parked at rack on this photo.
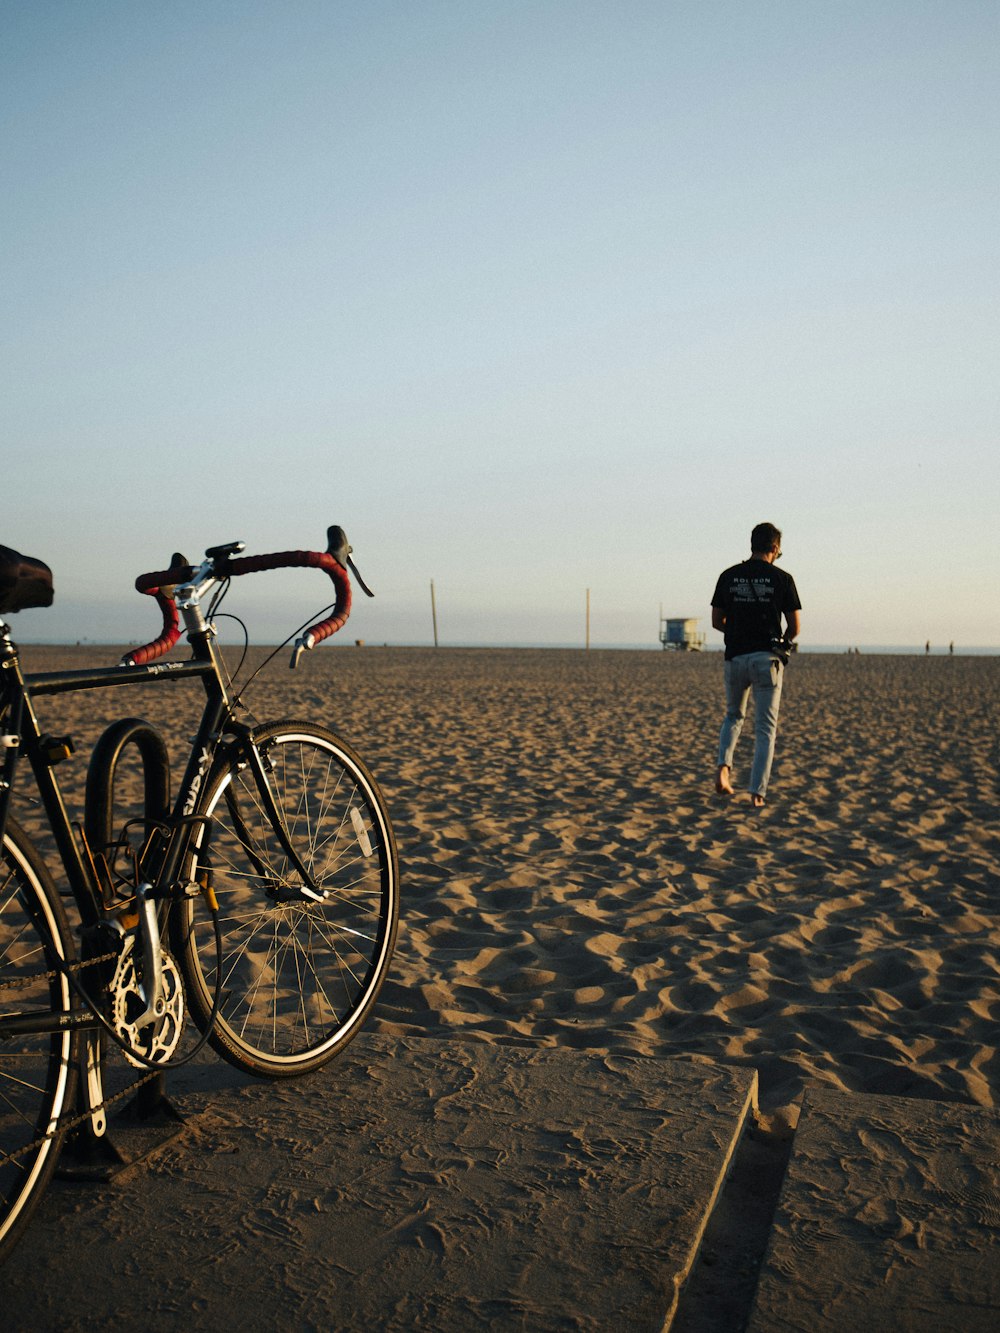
<point>263,900</point>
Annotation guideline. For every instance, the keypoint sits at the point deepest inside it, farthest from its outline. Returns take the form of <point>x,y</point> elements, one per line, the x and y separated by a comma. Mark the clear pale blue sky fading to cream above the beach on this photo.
<point>533,298</point>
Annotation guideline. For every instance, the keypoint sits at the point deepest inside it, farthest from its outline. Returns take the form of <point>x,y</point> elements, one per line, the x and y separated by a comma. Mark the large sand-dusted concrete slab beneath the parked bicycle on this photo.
<point>415,1184</point>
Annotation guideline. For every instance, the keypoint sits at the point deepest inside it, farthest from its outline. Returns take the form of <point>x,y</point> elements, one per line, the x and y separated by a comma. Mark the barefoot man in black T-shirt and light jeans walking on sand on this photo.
<point>750,602</point>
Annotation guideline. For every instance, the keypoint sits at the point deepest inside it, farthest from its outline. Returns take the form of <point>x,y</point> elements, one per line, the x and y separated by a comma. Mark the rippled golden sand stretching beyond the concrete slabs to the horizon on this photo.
<point>570,878</point>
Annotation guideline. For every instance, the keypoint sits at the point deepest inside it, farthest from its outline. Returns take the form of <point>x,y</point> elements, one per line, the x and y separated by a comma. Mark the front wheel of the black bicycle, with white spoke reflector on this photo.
<point>299,978</point>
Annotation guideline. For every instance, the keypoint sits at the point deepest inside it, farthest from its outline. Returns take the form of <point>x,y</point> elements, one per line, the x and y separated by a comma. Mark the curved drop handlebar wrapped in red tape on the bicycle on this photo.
<point>219,565</point>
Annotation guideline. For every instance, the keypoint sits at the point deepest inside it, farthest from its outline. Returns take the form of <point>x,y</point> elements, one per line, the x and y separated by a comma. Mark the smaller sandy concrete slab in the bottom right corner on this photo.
<point>889,1219</point>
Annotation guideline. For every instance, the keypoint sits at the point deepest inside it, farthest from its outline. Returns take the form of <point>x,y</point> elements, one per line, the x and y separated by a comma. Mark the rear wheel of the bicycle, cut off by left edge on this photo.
<point>38,1074</point>
